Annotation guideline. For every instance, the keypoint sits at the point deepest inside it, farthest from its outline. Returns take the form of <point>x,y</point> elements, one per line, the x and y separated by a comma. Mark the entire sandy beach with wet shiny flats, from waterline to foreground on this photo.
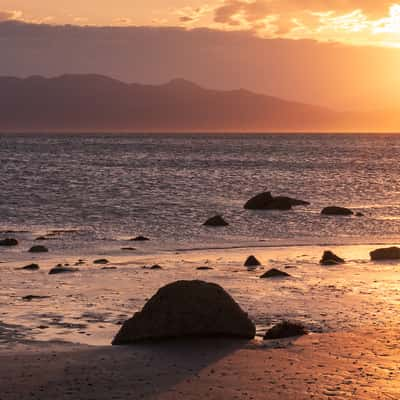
<point>58,346</point>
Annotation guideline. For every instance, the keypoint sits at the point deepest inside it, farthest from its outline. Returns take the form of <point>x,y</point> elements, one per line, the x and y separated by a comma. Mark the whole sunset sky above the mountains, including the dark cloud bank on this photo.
<point>342,54</point>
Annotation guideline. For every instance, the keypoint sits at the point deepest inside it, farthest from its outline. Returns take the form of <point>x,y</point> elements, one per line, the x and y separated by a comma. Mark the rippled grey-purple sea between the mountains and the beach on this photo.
<point>105,189</point>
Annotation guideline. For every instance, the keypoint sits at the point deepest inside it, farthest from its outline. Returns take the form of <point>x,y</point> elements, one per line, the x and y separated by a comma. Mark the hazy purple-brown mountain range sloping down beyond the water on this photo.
<point>97,103</point>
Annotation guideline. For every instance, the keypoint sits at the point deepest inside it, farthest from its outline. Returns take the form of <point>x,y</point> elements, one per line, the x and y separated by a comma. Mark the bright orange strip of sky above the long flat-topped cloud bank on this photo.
<point>366,22</point>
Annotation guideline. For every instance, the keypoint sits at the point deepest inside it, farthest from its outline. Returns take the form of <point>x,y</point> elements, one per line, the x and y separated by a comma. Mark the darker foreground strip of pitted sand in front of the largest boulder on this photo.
<point>358,365</point>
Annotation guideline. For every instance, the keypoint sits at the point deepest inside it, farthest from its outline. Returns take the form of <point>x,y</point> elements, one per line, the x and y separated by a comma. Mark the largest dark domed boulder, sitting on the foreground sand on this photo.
<point>187,309</point>
